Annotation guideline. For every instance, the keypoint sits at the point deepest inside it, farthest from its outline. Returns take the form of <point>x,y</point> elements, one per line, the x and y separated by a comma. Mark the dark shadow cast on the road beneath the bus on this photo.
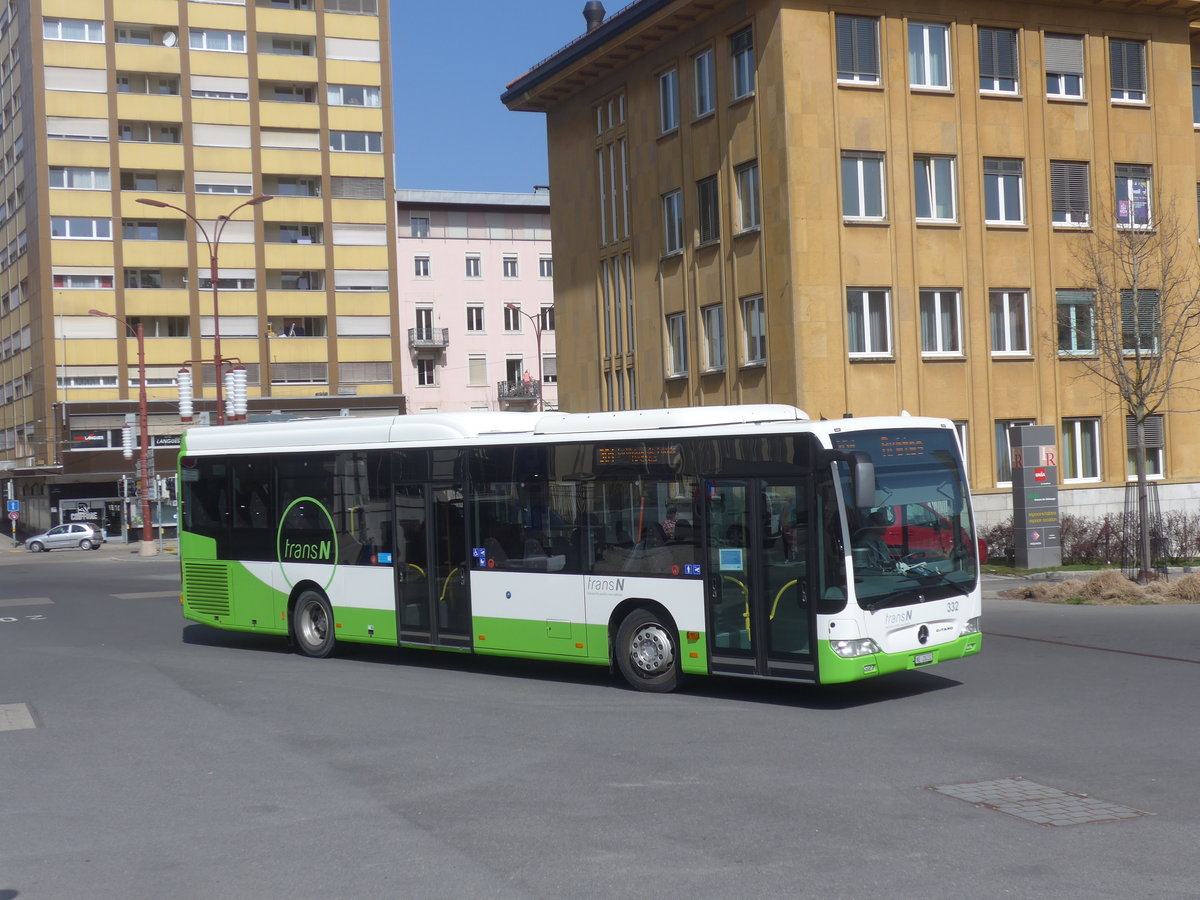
<point>789,694</point>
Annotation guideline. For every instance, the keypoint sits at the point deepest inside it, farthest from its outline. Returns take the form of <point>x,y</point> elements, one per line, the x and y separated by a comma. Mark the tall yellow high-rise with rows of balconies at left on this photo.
<point>201,106</point>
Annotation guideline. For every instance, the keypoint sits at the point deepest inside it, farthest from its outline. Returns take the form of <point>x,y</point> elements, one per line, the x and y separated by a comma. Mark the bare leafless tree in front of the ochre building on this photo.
<point>1137,327</point>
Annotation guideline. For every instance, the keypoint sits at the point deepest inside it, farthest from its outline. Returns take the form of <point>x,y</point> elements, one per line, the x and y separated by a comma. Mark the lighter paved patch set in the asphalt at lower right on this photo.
<point>1039,803</point>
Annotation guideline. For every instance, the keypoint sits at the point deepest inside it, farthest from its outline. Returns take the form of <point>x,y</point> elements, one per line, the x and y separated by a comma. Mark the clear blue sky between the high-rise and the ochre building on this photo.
<point>452,61</point>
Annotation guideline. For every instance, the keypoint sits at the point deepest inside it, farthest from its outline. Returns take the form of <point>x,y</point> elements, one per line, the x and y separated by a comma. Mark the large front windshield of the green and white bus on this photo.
<point>917,543</point>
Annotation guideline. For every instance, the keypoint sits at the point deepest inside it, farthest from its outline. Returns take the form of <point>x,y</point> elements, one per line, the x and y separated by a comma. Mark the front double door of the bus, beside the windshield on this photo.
<point>759,615</point>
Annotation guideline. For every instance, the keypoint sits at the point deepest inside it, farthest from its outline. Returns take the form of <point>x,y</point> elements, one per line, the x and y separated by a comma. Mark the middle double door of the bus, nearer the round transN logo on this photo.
<point>433,599</point>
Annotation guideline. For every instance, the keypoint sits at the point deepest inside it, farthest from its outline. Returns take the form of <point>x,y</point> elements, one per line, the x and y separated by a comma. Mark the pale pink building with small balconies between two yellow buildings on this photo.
<point>476,295</point>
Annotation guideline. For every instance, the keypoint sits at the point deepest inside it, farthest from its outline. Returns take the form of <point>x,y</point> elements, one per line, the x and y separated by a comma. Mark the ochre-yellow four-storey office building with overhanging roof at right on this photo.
<point>868,208</point>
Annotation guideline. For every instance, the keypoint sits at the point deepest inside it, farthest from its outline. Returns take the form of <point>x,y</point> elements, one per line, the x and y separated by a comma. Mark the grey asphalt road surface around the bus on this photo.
<point>170,760</point>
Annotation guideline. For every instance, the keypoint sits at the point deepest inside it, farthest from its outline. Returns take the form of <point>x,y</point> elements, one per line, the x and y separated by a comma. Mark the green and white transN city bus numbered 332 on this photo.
<point>664,543</point>
